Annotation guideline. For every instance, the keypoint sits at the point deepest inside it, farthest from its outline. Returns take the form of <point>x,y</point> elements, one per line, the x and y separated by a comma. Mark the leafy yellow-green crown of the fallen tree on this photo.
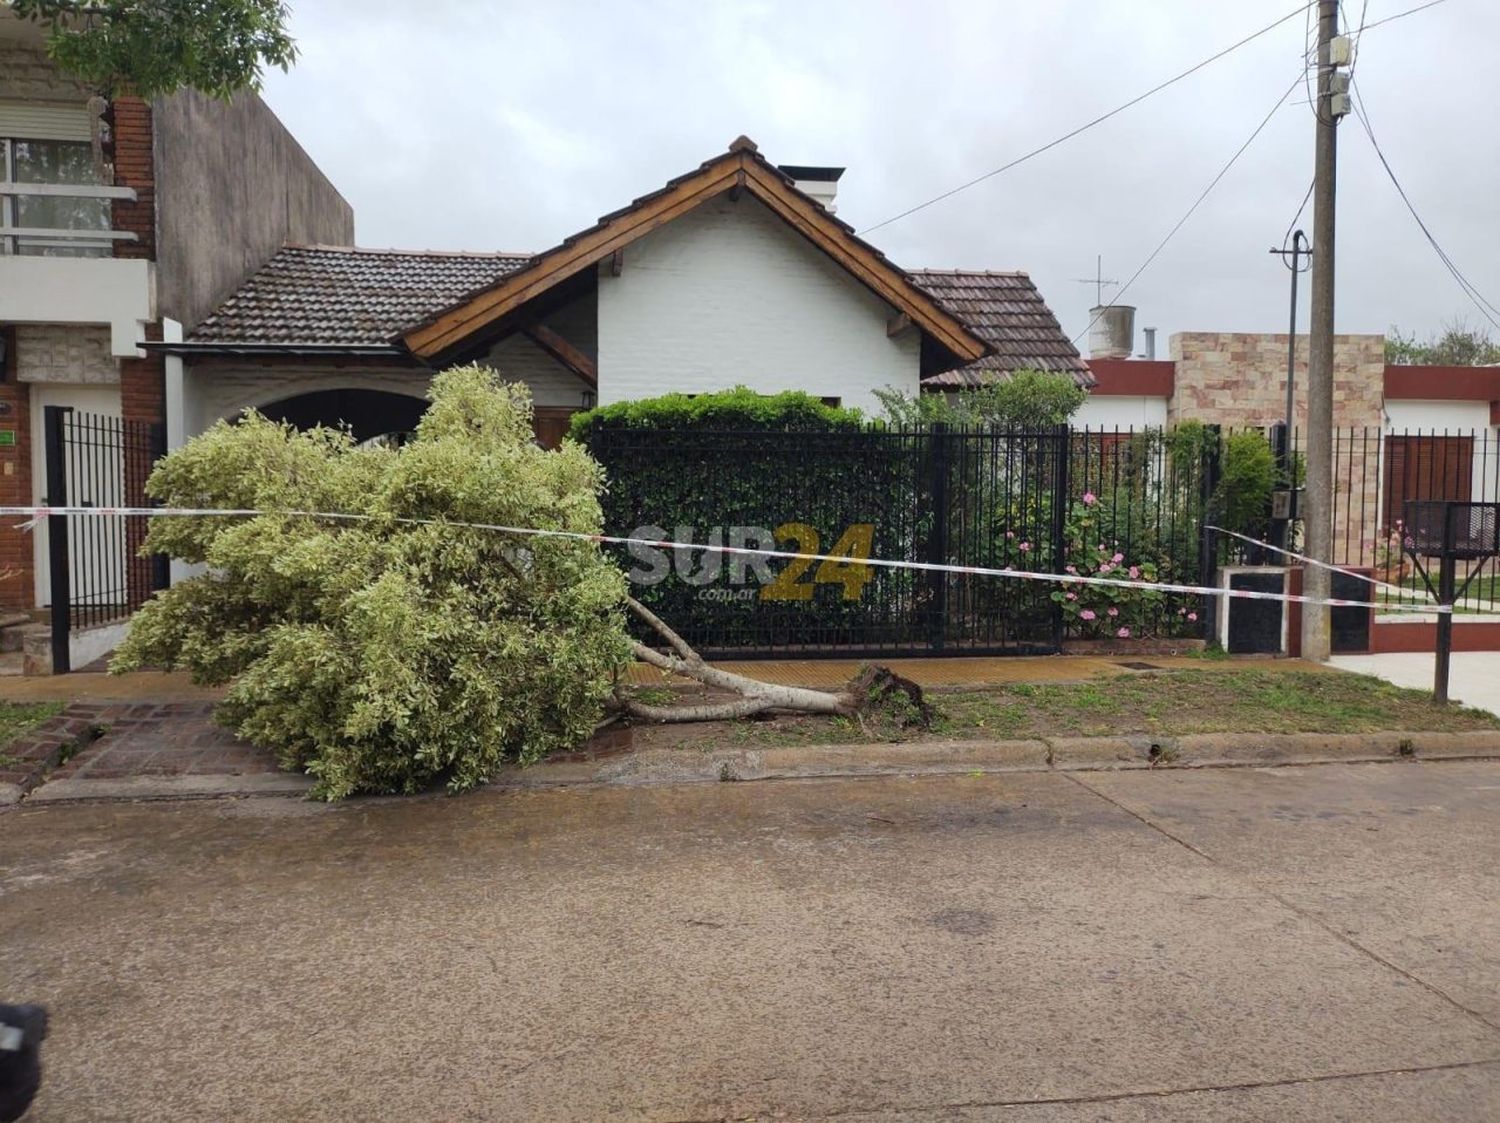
<point>385,656</point>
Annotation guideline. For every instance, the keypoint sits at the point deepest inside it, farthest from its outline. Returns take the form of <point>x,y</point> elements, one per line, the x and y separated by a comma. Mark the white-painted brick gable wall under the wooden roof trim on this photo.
<point>731,296</point>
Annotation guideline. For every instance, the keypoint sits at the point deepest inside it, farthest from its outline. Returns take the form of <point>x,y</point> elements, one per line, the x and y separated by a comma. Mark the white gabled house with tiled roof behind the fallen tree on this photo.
<point>734,274</point>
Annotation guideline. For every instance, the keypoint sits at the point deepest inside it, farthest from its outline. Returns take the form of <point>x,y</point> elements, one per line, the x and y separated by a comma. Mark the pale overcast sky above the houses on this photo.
<point>466,125</point>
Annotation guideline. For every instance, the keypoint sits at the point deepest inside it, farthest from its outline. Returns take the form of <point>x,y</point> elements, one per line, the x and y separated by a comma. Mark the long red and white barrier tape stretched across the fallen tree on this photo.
<point>34,514</point>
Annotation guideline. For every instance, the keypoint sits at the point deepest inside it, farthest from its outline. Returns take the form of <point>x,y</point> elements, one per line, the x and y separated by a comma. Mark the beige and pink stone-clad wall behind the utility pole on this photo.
<point>1241,379</point>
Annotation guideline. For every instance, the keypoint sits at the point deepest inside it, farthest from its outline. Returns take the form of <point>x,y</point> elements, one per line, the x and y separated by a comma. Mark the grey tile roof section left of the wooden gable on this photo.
<point>343,296</point>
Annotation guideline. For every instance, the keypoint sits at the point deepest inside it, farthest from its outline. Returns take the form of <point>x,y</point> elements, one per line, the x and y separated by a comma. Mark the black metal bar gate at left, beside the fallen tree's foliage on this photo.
<point>95,569</point>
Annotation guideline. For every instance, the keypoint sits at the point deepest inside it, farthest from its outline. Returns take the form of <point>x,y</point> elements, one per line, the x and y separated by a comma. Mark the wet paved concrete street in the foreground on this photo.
<point>1286,944</point>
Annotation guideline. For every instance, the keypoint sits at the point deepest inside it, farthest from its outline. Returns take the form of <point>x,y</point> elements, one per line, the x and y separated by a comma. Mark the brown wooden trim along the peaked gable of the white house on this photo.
<point>739,170</point>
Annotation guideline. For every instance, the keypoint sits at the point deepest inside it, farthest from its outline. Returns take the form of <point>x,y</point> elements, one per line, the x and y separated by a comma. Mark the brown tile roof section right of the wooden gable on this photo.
<point>1007,313</point>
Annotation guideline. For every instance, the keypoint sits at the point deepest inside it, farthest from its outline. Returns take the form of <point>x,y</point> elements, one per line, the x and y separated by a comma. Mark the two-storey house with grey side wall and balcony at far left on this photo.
<point>121,224</point>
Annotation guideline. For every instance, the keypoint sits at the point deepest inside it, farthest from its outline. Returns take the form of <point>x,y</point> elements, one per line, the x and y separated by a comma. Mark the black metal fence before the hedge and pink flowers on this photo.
<point>1054,502</point>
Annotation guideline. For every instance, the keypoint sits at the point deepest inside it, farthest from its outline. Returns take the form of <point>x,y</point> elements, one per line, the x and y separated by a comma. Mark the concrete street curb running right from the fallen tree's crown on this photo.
<point>1043,755</point>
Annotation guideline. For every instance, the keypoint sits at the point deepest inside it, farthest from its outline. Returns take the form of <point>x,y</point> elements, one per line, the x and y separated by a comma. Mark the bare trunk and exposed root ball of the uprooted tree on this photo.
<point>875,693</point>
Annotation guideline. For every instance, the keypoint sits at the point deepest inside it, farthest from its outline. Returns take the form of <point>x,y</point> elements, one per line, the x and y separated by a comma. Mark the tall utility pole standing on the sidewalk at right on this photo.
<point>1333,103</point>
